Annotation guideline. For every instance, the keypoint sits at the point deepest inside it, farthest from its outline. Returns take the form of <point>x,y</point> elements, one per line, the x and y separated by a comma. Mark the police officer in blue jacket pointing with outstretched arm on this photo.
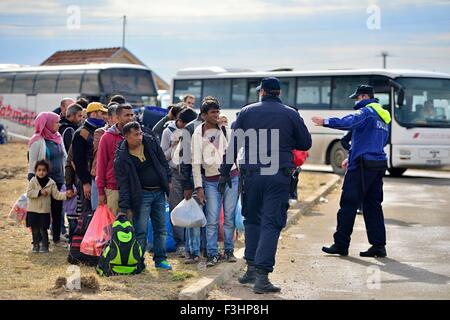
<point>363,182</point>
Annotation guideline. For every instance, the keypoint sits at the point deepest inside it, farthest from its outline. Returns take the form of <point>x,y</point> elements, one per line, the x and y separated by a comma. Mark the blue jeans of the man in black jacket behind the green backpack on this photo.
<point>153,205</point>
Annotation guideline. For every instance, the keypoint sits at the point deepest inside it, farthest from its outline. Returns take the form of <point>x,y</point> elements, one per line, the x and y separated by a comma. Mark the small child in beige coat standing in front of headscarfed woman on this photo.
<point>40,190</point>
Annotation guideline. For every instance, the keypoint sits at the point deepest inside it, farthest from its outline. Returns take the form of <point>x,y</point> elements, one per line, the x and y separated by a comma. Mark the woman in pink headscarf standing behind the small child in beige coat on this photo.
<point>47,144</point>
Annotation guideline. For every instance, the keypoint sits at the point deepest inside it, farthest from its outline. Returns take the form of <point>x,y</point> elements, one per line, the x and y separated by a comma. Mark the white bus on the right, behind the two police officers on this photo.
<point>418,139</point>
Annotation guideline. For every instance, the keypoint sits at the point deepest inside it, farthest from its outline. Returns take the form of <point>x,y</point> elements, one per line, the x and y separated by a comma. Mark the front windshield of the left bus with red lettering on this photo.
<point>128,82</point>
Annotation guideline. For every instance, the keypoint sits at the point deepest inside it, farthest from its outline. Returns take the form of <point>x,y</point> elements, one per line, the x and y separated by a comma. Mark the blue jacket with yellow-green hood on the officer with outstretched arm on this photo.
<point>370,131</point>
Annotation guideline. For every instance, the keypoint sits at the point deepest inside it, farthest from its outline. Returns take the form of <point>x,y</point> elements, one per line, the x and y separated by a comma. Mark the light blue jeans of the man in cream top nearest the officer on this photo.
<point>214,202</point>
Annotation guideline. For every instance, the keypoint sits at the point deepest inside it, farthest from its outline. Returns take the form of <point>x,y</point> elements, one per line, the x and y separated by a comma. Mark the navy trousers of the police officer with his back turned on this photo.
<point>265,204</point>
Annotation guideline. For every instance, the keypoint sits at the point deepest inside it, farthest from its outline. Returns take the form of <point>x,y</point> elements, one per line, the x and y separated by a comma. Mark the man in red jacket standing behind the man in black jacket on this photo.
<point>108,191</point>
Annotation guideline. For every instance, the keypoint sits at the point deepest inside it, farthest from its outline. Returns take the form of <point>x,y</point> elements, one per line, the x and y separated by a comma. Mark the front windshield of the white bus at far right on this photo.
<point>427,103</point>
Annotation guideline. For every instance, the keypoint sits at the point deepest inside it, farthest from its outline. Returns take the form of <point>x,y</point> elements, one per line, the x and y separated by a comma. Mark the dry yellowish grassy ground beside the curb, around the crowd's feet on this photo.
<point>24,275</point>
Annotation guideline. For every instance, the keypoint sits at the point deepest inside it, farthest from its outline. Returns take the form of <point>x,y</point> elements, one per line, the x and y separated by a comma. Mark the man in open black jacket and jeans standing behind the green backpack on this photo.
<point>143,176</point>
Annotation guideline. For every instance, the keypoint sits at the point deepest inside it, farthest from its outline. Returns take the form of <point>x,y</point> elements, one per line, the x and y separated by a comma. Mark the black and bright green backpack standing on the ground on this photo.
<point>123,254</point>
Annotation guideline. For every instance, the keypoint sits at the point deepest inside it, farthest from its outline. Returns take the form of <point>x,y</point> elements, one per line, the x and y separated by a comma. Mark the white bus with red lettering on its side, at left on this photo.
<point>26,91</point>
